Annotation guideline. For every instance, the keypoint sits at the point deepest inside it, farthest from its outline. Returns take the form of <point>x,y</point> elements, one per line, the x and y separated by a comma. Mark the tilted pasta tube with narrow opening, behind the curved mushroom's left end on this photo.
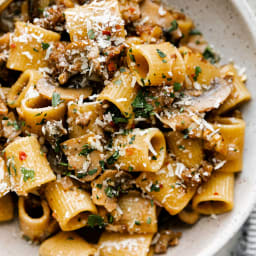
<point>24,88</point>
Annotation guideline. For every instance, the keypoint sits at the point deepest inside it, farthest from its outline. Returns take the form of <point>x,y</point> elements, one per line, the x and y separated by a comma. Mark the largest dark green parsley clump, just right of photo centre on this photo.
<point>140,106</point>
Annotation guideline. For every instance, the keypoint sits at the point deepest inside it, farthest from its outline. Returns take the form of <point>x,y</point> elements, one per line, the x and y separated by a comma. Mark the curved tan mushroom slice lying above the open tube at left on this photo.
<point>46,88</point>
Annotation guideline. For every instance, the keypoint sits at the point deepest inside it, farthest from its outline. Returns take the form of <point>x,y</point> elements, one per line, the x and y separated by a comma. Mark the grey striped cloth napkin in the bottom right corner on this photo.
<point>247,242</point>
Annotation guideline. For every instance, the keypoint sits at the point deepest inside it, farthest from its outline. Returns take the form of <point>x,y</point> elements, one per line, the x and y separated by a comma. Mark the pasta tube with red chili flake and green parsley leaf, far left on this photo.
<point>28,168</point>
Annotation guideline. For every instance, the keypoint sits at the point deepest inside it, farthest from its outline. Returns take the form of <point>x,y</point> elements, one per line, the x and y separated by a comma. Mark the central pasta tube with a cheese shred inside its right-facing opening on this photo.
<point>140,150</point>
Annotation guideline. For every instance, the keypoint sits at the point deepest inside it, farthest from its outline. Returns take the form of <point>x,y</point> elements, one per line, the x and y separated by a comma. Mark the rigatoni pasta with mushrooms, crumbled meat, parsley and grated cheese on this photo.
<point>118,125</point>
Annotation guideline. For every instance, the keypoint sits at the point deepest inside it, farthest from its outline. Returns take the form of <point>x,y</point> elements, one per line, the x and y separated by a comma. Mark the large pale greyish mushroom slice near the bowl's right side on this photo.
<point>210,99</point>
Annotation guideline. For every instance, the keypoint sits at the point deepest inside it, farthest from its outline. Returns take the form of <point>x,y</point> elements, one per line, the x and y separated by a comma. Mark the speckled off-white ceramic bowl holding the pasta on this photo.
<point>230,26</point>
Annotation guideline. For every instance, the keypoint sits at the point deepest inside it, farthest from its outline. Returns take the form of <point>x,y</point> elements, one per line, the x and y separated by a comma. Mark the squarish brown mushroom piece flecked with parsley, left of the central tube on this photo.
<point>84,156</point>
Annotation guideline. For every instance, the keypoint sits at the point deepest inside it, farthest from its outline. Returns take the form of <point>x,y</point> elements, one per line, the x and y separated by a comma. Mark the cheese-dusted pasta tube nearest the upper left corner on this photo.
<point>31,46</point>
